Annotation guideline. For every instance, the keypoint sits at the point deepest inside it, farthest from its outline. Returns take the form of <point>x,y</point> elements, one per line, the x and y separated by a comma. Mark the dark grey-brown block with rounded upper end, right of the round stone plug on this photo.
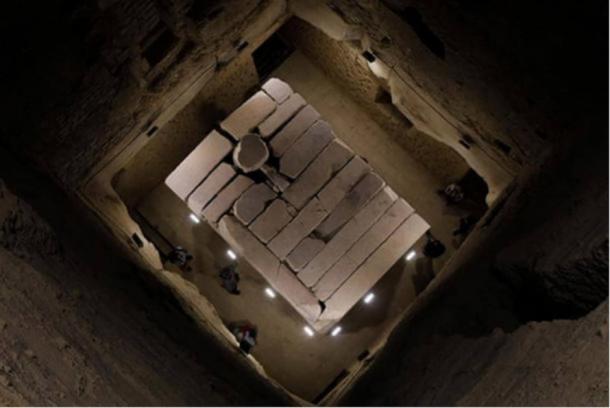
<point>305,149</point>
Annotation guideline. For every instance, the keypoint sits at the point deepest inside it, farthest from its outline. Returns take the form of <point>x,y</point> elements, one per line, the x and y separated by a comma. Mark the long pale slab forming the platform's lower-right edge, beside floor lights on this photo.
<point>367,275</point>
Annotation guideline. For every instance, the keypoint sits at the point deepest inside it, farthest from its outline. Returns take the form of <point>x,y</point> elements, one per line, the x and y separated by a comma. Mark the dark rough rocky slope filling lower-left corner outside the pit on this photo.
<point>86,327</point>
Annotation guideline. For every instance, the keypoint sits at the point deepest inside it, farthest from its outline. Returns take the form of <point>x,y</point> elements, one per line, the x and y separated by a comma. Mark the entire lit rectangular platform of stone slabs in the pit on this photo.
<point>315,221</point>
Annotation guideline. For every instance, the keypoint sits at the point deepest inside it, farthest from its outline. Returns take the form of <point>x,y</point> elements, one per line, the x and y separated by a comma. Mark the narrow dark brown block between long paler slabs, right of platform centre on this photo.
<point>351,203</point>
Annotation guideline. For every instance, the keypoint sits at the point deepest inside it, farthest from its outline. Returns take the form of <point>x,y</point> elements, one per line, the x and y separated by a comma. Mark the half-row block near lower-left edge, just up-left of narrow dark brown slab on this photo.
<point>301,226</point>
